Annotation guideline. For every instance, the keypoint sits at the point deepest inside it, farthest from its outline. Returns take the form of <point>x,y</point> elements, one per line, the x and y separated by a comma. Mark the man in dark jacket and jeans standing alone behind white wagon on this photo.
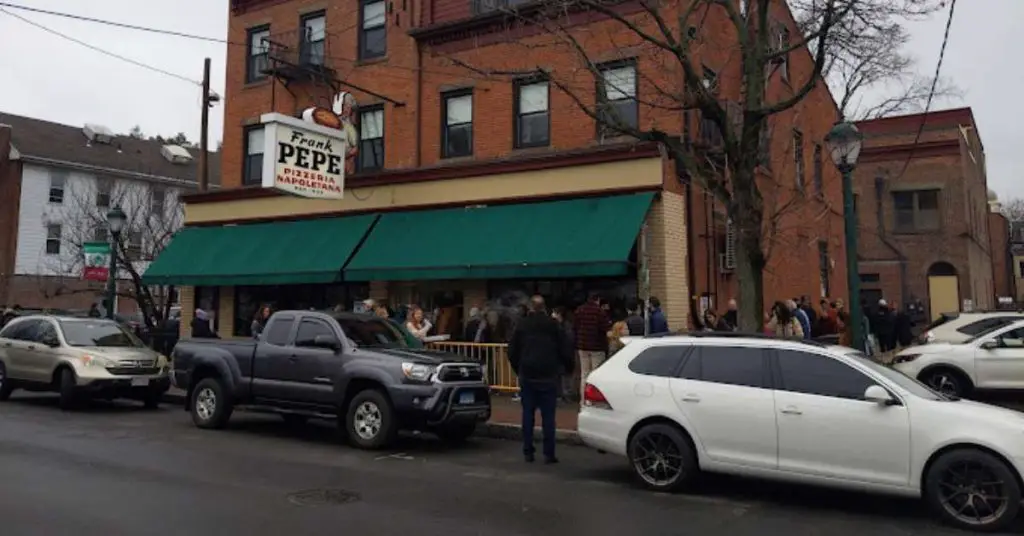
<point>540,353</point>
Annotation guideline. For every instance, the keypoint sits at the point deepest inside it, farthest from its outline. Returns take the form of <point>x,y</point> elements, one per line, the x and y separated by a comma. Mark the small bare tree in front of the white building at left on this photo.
<point>155,214</point>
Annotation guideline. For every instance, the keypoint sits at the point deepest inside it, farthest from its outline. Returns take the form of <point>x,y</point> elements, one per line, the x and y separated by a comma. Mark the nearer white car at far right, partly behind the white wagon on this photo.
<point>991,361</point>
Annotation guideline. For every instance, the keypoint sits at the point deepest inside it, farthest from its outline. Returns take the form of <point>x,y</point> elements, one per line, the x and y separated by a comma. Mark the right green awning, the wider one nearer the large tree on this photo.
<point>579,238</point>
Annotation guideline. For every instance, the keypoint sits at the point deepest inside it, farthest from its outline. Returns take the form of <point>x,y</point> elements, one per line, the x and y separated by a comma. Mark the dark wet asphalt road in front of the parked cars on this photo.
<point>115,470</point>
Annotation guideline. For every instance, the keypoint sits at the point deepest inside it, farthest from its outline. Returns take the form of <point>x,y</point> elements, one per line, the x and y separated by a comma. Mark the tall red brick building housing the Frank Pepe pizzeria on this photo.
<point>437,137</point>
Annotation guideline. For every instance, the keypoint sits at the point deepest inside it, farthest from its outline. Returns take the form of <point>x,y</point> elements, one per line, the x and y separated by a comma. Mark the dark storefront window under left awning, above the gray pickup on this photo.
<point>303,298</point>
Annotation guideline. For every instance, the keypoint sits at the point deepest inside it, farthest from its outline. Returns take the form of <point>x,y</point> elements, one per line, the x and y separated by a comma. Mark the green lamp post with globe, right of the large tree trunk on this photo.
<point>844,145</point>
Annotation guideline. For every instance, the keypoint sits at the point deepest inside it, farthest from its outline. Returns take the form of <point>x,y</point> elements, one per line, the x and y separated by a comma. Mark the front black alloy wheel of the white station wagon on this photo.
<point>973,493</point>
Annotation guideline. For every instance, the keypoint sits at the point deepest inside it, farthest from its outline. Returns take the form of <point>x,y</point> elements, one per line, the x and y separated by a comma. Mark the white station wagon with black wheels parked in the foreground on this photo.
<point>799,411</point>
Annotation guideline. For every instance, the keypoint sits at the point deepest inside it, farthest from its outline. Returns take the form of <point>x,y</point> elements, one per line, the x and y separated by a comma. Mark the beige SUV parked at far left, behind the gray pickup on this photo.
<point>79,358</point>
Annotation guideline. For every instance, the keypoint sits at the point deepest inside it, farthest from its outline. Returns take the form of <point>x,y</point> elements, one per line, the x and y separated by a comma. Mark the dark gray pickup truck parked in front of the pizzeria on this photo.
<point>358,369</point>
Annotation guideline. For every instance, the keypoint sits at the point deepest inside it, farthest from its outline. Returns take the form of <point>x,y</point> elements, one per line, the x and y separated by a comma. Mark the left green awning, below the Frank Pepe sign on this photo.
<point>274,254</point>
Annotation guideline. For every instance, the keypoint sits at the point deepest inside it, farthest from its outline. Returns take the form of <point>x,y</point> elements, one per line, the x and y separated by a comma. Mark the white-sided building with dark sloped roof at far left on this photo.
<point>57,184</point>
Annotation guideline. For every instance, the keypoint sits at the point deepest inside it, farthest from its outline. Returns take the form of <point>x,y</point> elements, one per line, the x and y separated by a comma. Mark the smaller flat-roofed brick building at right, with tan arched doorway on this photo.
<point>924,213</point>
